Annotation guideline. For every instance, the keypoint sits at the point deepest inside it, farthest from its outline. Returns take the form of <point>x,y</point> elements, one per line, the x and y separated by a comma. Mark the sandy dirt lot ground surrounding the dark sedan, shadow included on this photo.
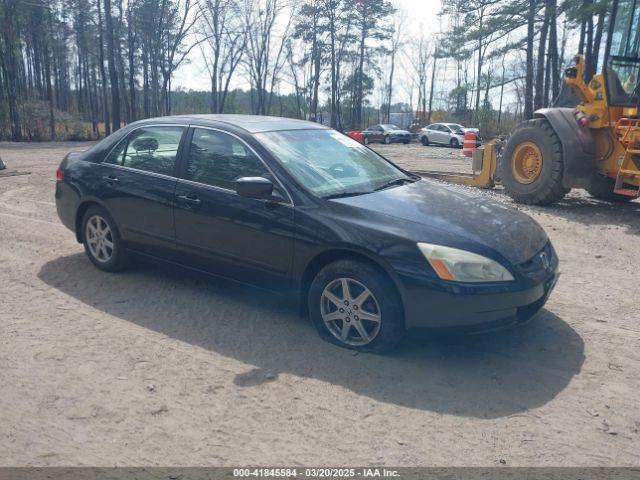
<point>155,367</point>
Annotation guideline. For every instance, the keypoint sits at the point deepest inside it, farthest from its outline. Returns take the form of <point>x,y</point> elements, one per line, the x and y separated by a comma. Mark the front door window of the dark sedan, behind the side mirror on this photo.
<point>219,159</point>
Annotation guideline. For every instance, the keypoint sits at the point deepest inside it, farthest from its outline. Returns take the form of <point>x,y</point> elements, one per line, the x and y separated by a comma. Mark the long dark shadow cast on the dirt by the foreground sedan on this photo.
<point>488,376</point>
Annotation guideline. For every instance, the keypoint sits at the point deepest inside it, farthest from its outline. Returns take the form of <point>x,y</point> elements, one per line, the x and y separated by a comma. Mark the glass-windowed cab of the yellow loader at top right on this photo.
<point>622,57</point>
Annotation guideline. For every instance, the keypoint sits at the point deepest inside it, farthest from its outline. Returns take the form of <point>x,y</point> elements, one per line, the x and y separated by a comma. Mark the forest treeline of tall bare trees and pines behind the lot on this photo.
<point>76,69</point>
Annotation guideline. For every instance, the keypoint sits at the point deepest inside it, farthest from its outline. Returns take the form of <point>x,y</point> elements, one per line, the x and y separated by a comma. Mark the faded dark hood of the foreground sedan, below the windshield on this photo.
<point>450,215</point>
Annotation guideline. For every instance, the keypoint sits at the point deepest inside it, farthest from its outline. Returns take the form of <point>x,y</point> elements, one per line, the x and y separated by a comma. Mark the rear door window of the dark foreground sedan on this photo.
<point>150,149</point>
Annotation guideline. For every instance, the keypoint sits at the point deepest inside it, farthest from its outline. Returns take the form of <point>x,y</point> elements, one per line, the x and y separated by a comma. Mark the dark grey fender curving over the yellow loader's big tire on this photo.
<point>578,146</point>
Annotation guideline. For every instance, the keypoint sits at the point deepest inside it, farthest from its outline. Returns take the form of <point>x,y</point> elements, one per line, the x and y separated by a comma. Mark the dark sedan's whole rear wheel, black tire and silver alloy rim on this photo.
<point>104,246</point>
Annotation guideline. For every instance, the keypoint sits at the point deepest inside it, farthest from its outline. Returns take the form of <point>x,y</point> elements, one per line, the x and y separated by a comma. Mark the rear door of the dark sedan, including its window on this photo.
<point>137,183</point>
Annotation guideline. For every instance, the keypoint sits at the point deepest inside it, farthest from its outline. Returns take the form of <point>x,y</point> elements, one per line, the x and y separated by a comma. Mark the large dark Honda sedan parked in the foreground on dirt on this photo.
<point>370,249</point>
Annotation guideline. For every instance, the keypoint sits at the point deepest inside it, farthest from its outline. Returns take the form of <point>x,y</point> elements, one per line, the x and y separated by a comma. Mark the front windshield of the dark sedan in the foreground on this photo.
<point>329,163</point>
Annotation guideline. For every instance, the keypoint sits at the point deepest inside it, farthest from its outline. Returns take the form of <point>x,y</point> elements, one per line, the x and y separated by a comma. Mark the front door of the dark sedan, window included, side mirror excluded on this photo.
<point>222,232</point>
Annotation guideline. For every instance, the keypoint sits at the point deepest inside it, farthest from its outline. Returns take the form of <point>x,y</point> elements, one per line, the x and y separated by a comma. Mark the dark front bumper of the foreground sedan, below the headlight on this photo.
<point>474,308</point>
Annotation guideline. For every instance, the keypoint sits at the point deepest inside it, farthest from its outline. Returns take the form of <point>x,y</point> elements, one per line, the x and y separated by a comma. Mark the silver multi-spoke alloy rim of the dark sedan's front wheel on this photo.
<point>350,311</point>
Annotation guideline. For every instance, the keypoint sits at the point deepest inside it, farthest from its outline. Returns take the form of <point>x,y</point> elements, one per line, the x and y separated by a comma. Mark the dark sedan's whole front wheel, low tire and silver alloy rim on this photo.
<point>332,316</point>
